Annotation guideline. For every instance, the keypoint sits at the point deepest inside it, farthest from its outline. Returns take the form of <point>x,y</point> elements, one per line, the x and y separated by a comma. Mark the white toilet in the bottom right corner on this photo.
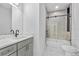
<point>70,50</point>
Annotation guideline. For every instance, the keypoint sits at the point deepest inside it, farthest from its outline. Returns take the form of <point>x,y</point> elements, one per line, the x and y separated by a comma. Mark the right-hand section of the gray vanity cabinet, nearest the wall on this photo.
<point>25,48</point>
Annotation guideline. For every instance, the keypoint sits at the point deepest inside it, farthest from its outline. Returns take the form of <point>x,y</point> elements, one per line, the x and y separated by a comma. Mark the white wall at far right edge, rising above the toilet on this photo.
<point>75,25</point>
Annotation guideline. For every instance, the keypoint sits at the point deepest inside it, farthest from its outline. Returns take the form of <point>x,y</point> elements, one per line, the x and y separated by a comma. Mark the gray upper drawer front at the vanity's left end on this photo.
<point>8,50</point>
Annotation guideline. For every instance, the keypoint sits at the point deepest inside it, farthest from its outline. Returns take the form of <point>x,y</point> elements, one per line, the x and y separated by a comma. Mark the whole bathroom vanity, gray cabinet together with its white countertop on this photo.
<point>17,46</point>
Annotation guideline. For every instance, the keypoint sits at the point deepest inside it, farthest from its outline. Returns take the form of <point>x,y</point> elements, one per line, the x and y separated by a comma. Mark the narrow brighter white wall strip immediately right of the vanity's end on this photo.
<point>36,30</point>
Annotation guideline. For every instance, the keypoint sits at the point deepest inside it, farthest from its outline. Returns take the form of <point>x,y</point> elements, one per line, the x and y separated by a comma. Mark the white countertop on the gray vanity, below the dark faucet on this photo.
<point>12,40</point>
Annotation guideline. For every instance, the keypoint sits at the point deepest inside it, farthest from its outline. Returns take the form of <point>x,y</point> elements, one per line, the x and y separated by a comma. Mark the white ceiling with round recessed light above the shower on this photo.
<point>56,6</point>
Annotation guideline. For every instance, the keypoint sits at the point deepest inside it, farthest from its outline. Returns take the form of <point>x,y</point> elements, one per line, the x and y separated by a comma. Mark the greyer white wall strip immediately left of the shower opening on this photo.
<point>42,27</point>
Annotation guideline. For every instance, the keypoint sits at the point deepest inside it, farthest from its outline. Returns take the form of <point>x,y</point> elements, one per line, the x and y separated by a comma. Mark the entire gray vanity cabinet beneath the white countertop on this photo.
<point>23,48</point>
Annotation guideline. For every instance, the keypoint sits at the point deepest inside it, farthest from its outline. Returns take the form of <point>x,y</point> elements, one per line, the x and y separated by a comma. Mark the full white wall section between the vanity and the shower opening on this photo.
<point>39,29</point>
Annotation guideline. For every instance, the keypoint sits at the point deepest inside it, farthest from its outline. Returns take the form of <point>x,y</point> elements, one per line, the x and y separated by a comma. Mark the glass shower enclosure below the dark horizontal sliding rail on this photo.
<point>57,27</point>
